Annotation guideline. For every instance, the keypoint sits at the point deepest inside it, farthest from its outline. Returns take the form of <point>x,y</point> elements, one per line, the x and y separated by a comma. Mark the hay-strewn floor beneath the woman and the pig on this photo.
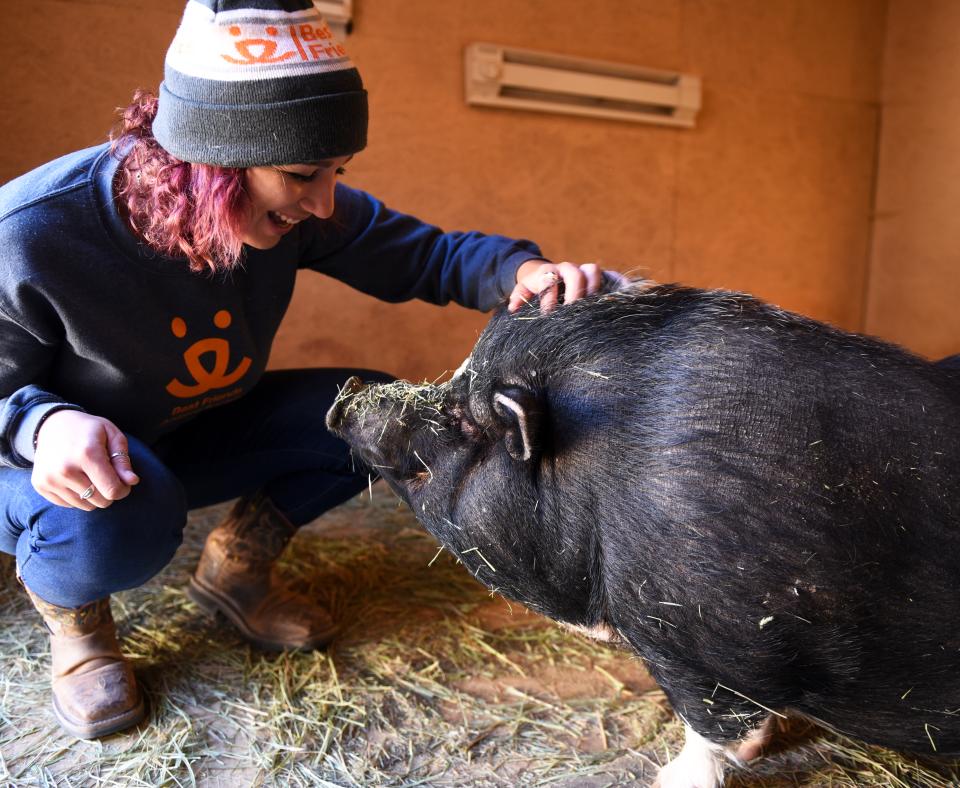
<point>431,682</point>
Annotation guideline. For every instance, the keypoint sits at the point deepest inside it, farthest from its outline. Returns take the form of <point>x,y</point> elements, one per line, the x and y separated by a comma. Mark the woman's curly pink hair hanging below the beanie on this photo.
<point>179,208</point>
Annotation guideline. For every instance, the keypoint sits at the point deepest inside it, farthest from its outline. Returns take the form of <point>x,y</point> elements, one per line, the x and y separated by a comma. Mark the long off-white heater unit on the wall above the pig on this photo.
<point>501,76</point>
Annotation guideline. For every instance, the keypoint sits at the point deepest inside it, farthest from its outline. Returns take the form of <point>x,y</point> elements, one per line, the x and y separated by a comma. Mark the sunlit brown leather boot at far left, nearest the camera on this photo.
<point>94,690</point>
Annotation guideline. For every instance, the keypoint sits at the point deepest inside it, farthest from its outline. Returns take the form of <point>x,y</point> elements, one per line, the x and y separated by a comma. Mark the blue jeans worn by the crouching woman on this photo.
<point>273,439</point>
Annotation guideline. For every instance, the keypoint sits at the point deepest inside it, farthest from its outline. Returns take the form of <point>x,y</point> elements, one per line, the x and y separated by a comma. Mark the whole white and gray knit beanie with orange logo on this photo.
<point>258,82</point>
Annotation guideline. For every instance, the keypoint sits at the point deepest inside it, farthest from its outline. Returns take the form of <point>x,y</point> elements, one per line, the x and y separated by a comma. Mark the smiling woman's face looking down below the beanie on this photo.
<point>282,196</point>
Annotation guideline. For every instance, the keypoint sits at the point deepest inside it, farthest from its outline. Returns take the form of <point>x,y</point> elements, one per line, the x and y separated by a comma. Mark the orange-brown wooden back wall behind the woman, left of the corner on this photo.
<point>772,192</point>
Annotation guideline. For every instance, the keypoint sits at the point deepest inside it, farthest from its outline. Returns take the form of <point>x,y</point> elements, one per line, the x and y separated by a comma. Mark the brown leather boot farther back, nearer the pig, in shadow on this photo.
<point>235,577</point>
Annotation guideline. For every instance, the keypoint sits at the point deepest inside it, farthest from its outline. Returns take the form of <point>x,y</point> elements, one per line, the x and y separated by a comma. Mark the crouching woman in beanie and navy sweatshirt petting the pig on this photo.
<point>141,286</point>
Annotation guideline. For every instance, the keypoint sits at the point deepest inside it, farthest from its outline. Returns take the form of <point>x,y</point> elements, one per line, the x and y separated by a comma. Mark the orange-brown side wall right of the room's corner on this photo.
<point>914,284</point>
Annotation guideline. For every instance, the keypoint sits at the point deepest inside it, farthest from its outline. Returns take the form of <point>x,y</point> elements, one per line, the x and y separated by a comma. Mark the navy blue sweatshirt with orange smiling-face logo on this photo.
<point>91,317</point>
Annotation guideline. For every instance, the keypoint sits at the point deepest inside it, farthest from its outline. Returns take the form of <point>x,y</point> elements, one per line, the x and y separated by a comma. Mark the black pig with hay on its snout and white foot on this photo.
<point>763,507</point>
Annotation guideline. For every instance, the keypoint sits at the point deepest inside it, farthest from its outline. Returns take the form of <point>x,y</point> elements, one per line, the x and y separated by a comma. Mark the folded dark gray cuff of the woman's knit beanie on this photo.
<point>299,131</point>
